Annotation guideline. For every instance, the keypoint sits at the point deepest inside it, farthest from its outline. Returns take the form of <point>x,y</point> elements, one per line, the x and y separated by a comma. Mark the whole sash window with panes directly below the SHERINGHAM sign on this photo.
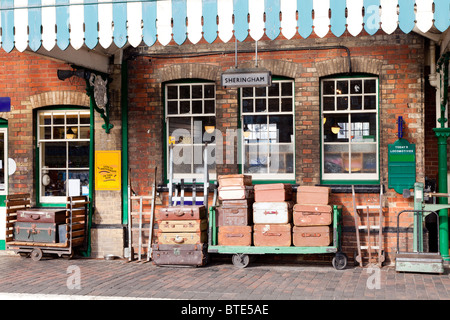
<point>267,122</point>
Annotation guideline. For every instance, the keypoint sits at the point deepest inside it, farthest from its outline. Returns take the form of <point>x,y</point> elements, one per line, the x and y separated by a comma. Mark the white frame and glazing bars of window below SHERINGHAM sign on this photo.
<point>267,113</point>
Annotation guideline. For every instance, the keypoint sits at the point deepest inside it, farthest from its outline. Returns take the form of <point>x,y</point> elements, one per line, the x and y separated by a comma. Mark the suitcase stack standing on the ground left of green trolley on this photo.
<point>182,236</point>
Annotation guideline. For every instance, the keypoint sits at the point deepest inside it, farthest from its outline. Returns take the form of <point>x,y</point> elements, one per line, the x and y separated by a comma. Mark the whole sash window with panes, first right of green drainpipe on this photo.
<point>190,127</point>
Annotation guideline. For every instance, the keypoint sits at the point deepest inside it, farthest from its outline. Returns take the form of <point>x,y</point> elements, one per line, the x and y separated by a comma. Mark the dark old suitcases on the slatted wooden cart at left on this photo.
<point>41,225</point>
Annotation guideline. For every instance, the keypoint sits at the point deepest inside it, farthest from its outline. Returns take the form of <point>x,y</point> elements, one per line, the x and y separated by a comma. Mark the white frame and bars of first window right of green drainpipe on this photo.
<point>197,147</point>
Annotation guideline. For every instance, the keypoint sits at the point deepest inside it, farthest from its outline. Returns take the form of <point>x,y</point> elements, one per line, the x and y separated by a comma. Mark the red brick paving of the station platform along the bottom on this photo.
<point>218,281</point>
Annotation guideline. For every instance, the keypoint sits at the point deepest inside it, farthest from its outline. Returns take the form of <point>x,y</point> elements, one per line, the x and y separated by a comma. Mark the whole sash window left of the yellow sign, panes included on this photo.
<point>63,140</point>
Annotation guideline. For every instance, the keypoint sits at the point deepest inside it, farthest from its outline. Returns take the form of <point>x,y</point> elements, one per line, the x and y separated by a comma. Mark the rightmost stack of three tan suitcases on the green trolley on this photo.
<point>312,217</point>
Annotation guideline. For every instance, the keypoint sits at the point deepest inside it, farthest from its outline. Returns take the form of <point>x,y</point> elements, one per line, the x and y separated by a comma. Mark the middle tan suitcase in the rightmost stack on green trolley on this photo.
<point>312,215</point>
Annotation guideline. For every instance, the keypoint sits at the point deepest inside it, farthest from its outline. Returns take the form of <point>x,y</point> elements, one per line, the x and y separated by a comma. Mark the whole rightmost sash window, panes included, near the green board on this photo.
<point>350,133</point>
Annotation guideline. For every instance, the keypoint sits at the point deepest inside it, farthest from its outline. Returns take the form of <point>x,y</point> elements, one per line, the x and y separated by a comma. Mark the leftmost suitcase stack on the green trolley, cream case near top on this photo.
<point>234,215</point>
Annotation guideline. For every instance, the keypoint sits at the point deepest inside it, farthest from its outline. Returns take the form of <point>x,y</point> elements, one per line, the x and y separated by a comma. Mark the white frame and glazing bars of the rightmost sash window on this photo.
<point>356,176</point>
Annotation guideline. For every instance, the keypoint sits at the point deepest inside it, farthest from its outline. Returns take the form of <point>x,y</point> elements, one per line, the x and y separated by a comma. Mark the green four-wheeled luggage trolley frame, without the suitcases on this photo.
<point>241,254</point>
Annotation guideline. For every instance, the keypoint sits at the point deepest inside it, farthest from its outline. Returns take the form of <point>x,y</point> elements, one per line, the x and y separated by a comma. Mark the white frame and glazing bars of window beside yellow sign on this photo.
<point>41,140</point>
